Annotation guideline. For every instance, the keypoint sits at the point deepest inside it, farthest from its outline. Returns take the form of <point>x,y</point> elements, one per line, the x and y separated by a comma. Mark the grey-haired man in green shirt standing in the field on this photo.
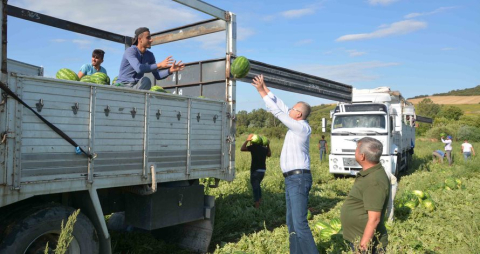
<point>363,211</point>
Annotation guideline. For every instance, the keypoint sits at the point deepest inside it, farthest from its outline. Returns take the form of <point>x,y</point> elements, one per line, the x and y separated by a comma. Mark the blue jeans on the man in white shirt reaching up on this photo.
<point>297,188</point>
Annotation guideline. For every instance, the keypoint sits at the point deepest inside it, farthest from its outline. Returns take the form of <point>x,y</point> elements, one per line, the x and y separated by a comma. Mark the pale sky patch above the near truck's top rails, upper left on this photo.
<point>158,15</point>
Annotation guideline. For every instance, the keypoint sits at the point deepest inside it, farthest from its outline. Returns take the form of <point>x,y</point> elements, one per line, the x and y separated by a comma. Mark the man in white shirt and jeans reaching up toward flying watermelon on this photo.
<point>295,165</point>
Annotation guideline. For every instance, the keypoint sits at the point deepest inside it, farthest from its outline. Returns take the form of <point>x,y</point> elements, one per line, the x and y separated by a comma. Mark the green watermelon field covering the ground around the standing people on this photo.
<point>240,228</point>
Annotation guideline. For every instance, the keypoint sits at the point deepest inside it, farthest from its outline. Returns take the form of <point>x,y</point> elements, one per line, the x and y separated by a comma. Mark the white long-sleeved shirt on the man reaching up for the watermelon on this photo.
<point>295,150</point>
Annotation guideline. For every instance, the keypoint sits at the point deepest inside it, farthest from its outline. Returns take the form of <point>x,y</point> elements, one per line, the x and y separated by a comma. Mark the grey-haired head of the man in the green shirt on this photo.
<point>368,151</point>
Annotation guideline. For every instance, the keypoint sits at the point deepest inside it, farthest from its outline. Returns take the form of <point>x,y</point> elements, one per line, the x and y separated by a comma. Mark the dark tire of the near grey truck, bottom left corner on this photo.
<point>31,229</point>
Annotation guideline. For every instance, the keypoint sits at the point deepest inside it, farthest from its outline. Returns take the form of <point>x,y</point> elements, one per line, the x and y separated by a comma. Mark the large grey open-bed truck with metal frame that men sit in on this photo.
<point>68,145</point>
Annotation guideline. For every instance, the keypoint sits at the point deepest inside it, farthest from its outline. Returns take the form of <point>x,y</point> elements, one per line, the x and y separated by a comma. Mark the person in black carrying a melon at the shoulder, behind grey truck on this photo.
<point>257,167</point>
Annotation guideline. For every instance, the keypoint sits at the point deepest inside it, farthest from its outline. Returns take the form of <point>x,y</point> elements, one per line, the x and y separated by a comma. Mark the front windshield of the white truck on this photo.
<point>359,121</point>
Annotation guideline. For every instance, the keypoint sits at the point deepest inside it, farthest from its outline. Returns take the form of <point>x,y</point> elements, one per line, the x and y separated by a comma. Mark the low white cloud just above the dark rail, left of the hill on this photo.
<point>347,73</point>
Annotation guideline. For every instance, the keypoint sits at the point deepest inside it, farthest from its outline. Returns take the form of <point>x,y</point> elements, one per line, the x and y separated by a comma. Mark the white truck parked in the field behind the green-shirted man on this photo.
<point>378,113</point>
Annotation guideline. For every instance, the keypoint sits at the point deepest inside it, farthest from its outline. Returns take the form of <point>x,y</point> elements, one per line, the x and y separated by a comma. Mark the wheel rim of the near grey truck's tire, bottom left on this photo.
<point>37,246</point>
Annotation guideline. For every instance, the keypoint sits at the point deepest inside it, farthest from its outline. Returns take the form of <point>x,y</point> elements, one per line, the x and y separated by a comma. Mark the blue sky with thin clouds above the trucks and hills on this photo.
<point>416,47</point>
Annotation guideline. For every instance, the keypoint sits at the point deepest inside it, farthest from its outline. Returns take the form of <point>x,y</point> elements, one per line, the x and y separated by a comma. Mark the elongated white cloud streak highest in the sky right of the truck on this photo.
<point>397,28</point>
